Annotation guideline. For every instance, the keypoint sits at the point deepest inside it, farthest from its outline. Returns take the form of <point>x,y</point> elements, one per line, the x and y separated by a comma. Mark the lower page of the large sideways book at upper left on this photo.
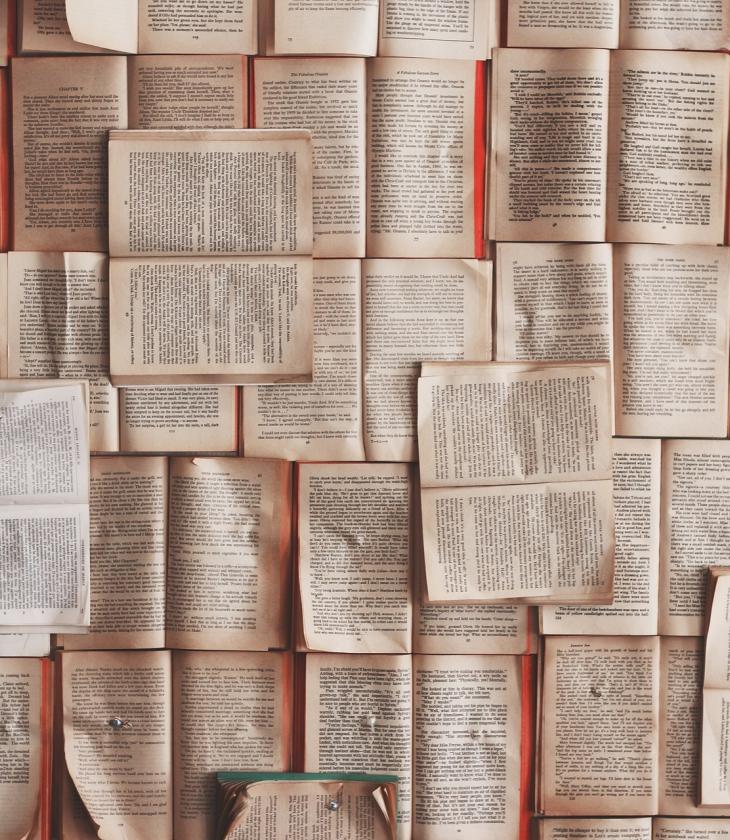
<point>210,320</point>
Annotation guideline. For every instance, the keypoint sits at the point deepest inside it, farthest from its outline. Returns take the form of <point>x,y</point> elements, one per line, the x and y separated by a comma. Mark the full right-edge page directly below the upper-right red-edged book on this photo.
<point>672,333</point>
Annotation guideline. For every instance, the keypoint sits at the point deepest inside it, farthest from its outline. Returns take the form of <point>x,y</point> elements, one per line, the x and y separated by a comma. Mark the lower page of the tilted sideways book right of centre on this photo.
<point>535,542</point>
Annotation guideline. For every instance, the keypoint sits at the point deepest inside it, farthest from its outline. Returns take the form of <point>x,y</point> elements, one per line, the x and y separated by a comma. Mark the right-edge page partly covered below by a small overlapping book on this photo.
<point>695,530</point>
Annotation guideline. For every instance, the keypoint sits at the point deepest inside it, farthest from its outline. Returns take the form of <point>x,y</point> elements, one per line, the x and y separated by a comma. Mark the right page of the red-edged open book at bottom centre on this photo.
<point>467,744</point>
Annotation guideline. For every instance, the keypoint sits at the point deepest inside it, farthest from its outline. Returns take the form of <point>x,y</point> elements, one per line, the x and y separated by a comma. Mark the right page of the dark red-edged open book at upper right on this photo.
<point>680,102</point>
